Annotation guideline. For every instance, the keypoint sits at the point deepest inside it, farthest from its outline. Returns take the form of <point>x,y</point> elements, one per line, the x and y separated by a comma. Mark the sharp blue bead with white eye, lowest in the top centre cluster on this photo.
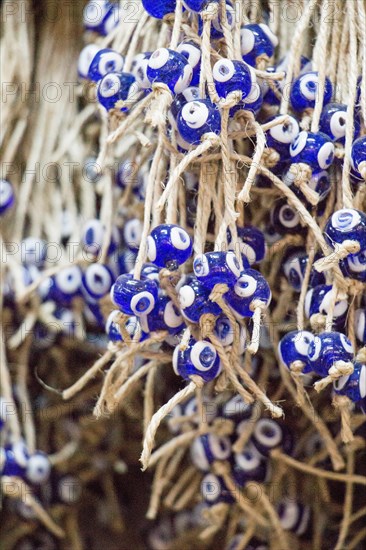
<point>197,118</point>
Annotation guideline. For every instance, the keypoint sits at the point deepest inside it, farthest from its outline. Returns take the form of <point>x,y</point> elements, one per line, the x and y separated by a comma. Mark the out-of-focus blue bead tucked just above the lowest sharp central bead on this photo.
<point>164,316</point>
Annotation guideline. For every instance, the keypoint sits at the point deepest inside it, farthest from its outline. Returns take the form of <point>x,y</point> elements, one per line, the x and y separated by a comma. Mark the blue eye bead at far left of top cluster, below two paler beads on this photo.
<point>116,87</point>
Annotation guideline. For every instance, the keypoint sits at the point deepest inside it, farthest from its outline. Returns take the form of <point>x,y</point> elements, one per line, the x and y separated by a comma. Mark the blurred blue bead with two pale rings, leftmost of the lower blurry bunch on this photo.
<point>207,448</point>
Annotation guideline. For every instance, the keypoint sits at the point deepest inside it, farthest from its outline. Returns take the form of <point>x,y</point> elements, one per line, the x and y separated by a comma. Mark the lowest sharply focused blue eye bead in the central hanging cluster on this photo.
<point>199,358</point>
